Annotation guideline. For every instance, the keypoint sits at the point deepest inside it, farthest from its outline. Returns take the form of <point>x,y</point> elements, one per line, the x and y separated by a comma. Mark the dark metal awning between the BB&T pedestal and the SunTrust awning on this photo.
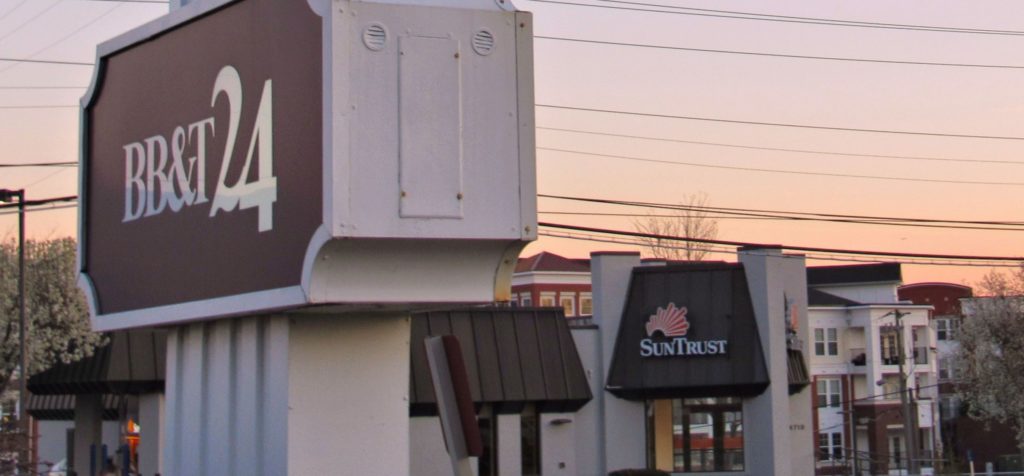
<point>515,357</point>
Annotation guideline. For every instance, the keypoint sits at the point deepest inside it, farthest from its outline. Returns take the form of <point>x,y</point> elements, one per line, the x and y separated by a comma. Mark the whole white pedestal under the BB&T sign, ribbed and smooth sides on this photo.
<point>298,395</point>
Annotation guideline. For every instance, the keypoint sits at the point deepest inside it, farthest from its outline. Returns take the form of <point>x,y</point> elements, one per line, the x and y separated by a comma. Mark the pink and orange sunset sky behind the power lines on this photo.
<point>647,65</point>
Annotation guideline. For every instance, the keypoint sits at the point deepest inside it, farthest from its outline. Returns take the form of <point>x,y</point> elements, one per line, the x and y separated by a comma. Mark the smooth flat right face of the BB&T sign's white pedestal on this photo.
<point>349,395</point>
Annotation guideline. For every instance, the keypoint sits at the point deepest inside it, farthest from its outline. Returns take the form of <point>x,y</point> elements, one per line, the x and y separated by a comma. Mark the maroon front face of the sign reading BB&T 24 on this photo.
<point>202,159</point>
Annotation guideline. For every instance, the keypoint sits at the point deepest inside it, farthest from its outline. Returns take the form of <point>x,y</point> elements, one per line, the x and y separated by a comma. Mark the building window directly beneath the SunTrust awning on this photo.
<point>705,435</point>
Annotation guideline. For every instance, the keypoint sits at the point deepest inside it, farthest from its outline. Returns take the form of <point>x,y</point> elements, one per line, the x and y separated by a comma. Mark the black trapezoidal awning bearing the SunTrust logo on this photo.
<point>689,331</point>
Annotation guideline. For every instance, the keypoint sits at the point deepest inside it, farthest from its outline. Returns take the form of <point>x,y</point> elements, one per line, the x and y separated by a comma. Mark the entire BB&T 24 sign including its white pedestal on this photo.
<point>284,182</point>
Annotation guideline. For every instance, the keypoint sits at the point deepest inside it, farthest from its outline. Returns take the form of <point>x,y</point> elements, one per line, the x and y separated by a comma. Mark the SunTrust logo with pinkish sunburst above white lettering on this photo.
<point>672,323</point>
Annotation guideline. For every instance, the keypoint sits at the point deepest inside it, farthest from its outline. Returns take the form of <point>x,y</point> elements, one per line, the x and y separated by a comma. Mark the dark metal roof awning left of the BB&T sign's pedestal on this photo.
<point>133,362</point>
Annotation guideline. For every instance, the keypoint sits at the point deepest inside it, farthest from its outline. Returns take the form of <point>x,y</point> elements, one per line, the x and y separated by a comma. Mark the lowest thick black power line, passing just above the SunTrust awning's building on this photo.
<point>787,247</point>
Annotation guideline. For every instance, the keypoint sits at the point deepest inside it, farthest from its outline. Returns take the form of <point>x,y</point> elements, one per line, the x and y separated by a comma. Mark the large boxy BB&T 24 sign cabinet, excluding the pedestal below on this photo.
<point>254,156</point>
